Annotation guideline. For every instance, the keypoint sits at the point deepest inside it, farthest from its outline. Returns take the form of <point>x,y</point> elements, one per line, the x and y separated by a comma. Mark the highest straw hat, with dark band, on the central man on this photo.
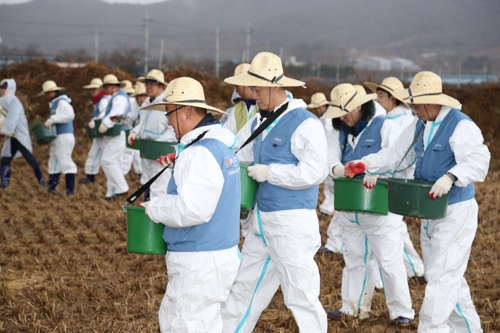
<point>265,70</point>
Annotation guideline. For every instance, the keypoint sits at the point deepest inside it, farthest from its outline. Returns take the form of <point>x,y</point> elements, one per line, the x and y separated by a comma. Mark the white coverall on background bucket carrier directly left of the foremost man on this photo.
<point>153,126</point>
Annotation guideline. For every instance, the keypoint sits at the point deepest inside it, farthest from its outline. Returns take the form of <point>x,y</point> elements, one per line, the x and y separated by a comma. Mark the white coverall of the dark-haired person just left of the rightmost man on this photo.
<point>370,236</point>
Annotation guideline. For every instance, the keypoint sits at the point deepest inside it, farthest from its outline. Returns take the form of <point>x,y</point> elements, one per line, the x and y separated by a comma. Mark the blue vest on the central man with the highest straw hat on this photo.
<point>277,148</point>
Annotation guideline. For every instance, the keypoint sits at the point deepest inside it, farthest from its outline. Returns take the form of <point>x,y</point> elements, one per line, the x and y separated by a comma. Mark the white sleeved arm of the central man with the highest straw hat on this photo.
<point>311,152</point>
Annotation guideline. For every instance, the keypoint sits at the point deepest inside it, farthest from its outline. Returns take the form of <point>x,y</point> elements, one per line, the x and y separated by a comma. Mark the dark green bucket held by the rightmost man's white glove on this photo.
<point>410,197</point>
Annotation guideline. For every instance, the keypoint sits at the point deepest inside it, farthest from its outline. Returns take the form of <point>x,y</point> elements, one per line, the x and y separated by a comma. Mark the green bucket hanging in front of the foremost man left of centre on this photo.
<point>143,235</point>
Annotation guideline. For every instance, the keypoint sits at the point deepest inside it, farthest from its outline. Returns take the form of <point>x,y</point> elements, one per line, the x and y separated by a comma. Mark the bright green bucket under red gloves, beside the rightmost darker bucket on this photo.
<point>352,196</point>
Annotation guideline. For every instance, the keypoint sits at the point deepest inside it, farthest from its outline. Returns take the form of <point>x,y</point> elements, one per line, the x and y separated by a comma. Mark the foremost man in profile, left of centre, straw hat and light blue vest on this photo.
<point>200,211</point>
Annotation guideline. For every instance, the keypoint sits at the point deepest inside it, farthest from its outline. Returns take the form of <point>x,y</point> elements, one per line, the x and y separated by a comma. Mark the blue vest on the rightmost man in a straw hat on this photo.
<point>438,158</point>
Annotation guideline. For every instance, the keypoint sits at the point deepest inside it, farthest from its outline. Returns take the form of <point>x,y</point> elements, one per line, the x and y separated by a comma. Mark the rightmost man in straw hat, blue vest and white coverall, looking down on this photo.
<point>448,150</point>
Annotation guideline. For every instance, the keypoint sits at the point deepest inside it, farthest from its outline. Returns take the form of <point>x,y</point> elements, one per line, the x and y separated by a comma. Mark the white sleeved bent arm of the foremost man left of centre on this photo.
<point>199,182</point>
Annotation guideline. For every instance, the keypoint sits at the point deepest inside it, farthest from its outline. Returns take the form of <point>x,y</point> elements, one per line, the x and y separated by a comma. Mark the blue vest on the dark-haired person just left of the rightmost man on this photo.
<point>370,142</point>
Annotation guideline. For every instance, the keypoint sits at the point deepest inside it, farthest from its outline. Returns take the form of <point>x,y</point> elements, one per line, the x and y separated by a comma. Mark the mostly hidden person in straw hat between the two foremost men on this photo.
<point>245,109</point>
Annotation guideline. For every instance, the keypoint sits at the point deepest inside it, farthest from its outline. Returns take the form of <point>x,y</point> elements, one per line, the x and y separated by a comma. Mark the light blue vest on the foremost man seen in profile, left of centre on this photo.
<point>222,231</point>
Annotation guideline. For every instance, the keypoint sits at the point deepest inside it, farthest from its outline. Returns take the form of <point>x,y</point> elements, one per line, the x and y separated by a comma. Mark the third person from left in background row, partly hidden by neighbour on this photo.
<point>99,104</point>
